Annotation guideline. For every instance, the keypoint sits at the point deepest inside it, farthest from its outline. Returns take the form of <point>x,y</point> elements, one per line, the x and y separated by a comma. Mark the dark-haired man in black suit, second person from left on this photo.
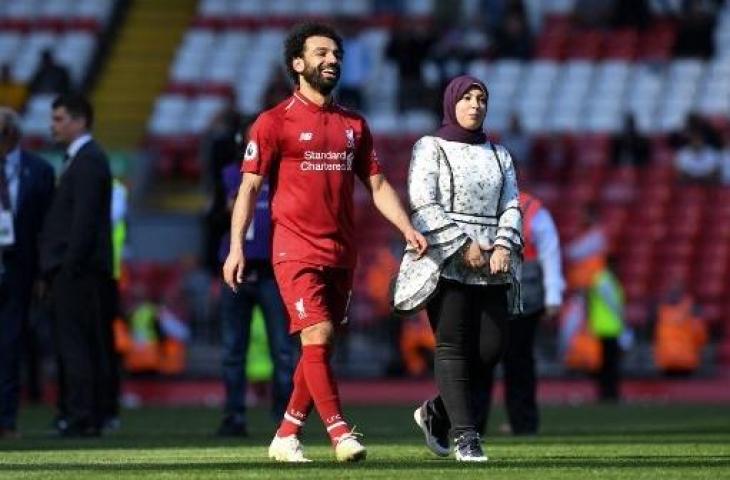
<point>76,259</point>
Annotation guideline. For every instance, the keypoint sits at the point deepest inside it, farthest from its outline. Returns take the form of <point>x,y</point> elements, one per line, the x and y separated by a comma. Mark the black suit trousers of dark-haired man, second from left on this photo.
<point>80,345</point>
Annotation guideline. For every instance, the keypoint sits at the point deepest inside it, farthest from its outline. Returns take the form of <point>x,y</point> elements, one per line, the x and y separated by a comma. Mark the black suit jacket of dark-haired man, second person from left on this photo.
<point>76,236</point>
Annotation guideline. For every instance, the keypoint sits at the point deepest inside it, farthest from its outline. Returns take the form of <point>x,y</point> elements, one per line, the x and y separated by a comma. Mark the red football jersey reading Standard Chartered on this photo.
<point>311,155</point>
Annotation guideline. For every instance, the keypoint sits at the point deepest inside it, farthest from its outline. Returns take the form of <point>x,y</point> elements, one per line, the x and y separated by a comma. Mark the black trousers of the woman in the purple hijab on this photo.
<point>470,323</point>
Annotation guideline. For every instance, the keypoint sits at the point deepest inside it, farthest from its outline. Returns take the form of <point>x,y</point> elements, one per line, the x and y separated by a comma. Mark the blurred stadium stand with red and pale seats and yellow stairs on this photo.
<point>572,95</point>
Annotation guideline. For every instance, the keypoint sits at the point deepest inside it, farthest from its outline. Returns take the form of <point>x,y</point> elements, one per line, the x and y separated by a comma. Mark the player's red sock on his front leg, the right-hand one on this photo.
<point>322,387</point>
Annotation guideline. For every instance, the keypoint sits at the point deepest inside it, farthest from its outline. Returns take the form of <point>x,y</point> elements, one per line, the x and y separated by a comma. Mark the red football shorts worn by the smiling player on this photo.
<point>313,294</point>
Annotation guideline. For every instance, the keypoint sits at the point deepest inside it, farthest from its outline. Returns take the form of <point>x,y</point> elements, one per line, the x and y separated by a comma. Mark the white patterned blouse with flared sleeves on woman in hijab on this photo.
<point>457,192</point>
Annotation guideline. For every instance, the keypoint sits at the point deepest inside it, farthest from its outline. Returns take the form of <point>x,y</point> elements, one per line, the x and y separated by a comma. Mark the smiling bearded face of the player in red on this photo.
<point>320,65</point>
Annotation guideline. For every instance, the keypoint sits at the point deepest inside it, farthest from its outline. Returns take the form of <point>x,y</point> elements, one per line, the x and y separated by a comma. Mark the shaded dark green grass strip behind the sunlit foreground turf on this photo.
<point>166,428</point>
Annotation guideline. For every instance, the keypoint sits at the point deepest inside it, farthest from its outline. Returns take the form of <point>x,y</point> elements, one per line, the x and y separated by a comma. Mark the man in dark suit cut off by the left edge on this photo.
<point>26,187</point>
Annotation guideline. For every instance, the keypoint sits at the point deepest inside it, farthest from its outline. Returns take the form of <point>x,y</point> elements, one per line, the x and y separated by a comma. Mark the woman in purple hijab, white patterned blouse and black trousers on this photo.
<point>464,198</point>
